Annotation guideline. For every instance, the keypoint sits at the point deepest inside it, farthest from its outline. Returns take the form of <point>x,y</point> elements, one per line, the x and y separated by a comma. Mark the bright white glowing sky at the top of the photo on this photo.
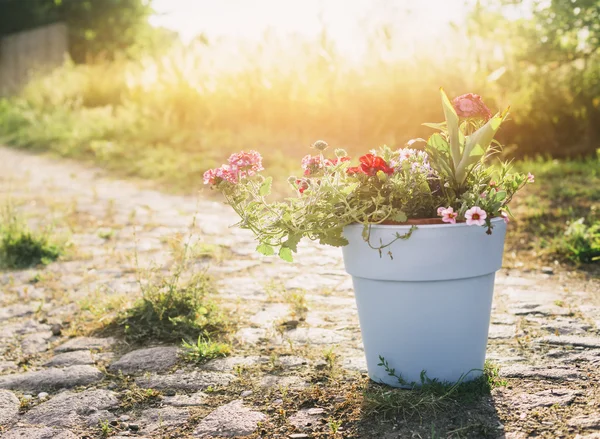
<point>346,22</point>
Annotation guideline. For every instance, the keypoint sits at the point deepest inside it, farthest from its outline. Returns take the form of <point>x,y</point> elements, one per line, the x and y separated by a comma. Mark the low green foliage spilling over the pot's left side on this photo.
<point>332,199</point>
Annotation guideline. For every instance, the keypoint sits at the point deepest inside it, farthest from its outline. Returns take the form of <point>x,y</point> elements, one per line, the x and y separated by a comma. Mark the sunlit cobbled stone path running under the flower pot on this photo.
<point>57,381</point>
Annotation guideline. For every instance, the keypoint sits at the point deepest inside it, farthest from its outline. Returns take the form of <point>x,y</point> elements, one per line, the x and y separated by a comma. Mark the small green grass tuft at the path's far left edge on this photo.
<point>23,248</point>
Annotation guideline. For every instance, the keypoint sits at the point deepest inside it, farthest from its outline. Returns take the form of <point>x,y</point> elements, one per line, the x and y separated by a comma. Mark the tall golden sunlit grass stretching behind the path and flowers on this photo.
<point>171,117</point>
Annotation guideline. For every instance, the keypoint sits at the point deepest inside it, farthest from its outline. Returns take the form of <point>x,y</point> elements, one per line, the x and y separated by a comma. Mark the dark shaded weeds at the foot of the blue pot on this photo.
<point>430,396</point>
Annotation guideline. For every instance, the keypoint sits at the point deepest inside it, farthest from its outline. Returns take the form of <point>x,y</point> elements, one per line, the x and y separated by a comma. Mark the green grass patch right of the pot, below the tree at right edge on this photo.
<point>558,217</point>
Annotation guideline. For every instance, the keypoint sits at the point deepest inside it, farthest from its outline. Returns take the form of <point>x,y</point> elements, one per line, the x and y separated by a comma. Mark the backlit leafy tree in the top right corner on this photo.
<point>552,60</point>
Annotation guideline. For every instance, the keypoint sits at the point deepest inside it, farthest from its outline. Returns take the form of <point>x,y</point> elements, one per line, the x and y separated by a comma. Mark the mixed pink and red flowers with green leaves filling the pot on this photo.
<point>449,178</point>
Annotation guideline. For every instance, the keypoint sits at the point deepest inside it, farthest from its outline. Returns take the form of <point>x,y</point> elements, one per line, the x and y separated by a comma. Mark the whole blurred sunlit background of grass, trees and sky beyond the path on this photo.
<point>166,89</point>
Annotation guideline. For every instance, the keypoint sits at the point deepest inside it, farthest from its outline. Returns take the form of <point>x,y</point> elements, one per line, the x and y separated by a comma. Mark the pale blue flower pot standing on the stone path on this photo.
<point>426,308</point>
